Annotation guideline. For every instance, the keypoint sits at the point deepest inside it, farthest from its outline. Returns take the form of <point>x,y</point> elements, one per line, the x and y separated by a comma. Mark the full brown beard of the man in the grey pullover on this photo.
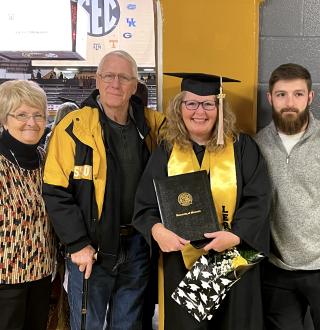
<point>290,123</point>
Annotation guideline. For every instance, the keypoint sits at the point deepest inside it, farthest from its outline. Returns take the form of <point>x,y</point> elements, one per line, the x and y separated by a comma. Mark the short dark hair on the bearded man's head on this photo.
<point>290,71</point>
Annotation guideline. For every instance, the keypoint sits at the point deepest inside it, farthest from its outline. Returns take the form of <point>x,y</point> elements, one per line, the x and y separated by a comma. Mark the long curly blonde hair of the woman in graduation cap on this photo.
<point>175,130</point>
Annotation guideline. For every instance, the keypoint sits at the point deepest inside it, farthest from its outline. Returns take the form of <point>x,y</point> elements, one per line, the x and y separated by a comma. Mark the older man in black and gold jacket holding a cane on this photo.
<point>95,159</point>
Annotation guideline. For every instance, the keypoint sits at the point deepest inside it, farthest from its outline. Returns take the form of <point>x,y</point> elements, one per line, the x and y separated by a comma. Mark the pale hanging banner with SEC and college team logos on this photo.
<point>111,25</point>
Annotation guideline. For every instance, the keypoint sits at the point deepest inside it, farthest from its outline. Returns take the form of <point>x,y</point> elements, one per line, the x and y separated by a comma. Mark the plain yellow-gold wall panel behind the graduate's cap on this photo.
<point>218,37</point>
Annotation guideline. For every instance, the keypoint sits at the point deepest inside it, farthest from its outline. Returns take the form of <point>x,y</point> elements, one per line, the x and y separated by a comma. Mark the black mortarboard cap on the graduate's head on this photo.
<point>200,83</point>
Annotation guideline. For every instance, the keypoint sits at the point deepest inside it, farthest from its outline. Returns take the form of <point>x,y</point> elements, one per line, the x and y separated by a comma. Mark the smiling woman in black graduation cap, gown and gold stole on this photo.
<point>200,137</point>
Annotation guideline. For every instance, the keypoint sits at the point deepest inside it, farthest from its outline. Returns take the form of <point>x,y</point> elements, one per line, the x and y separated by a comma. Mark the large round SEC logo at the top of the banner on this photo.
<point>103,16</point>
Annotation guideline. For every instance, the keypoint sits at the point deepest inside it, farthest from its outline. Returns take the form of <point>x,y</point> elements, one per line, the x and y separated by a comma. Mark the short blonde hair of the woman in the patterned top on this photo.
<point>14,93</point>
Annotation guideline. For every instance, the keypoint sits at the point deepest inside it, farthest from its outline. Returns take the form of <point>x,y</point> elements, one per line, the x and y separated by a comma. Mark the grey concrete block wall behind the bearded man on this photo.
<point>289,32</point>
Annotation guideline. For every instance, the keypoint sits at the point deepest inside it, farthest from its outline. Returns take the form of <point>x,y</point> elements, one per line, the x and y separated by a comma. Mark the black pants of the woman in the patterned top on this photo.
<point>25,306</point>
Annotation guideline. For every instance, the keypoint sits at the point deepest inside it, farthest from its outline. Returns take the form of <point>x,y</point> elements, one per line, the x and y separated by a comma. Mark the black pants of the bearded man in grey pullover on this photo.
<point>287,295</point>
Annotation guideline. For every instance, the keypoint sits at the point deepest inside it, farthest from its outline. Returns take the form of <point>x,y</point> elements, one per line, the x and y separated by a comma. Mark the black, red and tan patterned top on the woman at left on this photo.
<point>26,236</point>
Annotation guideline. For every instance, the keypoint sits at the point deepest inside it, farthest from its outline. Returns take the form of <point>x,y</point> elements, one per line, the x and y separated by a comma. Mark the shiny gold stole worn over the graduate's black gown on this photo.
<point>223,181</point>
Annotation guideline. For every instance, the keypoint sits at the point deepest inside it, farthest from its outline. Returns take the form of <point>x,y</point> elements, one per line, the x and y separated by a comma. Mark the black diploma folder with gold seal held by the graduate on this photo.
<point>186,205</point>
